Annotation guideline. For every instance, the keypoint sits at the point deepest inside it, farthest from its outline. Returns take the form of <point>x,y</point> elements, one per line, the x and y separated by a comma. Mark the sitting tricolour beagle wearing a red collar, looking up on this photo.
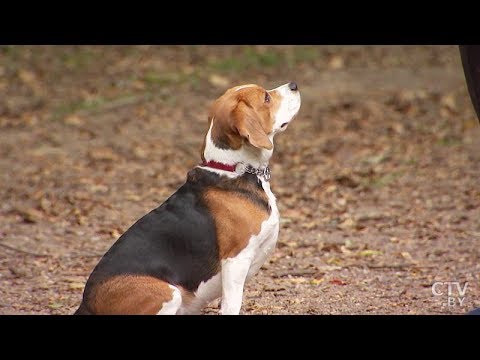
<point>215,231</point>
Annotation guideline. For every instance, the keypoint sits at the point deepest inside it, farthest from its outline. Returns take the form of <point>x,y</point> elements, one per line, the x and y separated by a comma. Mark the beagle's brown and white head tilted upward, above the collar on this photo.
<point>248,117</point>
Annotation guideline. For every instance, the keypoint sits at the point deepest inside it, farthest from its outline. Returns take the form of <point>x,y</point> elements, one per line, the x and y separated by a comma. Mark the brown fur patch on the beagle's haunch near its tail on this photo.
<point>129,295</point>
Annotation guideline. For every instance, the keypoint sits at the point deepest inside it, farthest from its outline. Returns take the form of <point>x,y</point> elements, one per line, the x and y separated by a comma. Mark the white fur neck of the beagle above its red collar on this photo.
<point>247,155</point>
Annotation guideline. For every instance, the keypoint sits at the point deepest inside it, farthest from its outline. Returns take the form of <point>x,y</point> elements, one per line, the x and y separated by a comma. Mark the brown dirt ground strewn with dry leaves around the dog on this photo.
<point>377,179</point>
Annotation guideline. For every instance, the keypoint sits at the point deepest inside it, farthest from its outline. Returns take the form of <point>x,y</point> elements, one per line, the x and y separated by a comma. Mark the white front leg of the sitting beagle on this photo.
<point>234,273</point>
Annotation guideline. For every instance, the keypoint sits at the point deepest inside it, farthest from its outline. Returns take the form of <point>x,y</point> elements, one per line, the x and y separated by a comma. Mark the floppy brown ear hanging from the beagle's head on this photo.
<point>247,123</point>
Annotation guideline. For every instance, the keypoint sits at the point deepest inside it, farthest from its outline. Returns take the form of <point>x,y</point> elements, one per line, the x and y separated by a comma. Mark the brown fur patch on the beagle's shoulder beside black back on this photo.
<point>236,218</point>
